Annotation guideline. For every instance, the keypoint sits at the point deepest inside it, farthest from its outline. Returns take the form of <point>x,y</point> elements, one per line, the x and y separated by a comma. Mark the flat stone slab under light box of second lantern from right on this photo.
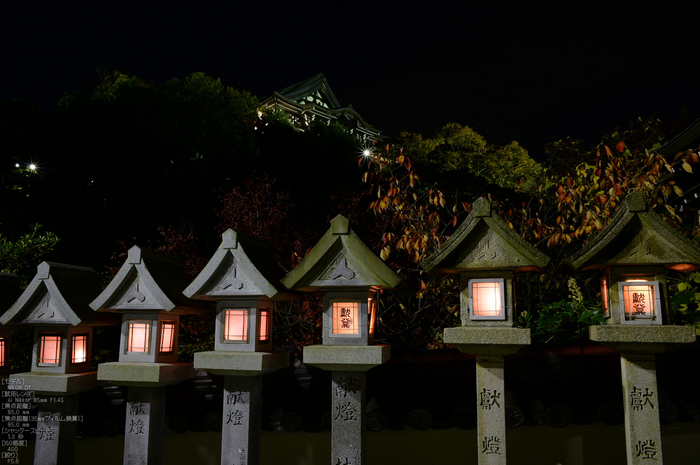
<point>487,340</point>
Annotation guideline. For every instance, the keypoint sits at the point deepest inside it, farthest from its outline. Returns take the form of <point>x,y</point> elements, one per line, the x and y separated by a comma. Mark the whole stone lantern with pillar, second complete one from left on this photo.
<point>147,292</point>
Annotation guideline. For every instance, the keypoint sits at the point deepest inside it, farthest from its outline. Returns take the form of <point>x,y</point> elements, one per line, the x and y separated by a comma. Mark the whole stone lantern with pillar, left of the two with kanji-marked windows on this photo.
<point>349,274</point>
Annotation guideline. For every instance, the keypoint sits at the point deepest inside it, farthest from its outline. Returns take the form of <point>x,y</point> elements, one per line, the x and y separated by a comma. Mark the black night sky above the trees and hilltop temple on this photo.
<point>529,71</point>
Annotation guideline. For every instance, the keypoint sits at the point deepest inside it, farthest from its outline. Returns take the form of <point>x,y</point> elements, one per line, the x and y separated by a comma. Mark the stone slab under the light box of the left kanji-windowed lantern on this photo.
<point>346,358</point>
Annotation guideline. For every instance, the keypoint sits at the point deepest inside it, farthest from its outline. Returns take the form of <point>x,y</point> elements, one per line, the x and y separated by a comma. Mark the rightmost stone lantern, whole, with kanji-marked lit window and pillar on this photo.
<point>633,252</point>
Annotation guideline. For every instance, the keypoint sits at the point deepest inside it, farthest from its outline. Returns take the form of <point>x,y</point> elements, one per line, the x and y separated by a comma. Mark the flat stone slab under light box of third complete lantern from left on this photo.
<point>240,363</point>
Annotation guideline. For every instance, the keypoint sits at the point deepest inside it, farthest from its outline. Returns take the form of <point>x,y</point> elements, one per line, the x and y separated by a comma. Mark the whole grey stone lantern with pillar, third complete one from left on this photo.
<point>243,278</point>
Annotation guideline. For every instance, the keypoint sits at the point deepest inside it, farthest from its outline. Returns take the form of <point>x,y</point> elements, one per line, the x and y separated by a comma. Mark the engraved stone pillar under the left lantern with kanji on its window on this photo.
<point>348,434</point>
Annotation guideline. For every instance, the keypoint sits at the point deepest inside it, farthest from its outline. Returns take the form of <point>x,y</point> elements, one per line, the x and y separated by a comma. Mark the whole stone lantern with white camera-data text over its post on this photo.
<point>55,304</point>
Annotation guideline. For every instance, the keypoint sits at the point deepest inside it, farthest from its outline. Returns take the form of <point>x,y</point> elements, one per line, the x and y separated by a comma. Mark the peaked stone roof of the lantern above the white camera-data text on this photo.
<point>59,294</point>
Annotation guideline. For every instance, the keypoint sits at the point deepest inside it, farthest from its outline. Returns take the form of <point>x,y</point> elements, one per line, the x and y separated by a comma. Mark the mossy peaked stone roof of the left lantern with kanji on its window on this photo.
<point>341,260</point>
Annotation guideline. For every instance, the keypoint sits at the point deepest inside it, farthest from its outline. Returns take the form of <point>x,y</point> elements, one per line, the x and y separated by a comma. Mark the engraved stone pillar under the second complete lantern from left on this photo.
<point>145,426</point>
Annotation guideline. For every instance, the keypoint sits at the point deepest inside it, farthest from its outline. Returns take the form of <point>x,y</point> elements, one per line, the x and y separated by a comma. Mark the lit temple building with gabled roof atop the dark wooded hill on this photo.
<point>313,100</point>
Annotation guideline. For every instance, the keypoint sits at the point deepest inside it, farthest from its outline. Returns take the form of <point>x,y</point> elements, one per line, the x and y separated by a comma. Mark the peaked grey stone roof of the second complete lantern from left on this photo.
<point>148,280</point>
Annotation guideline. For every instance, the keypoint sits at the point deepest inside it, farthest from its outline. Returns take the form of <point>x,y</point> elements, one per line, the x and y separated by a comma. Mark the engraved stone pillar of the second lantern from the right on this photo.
<point>491,419</point>
